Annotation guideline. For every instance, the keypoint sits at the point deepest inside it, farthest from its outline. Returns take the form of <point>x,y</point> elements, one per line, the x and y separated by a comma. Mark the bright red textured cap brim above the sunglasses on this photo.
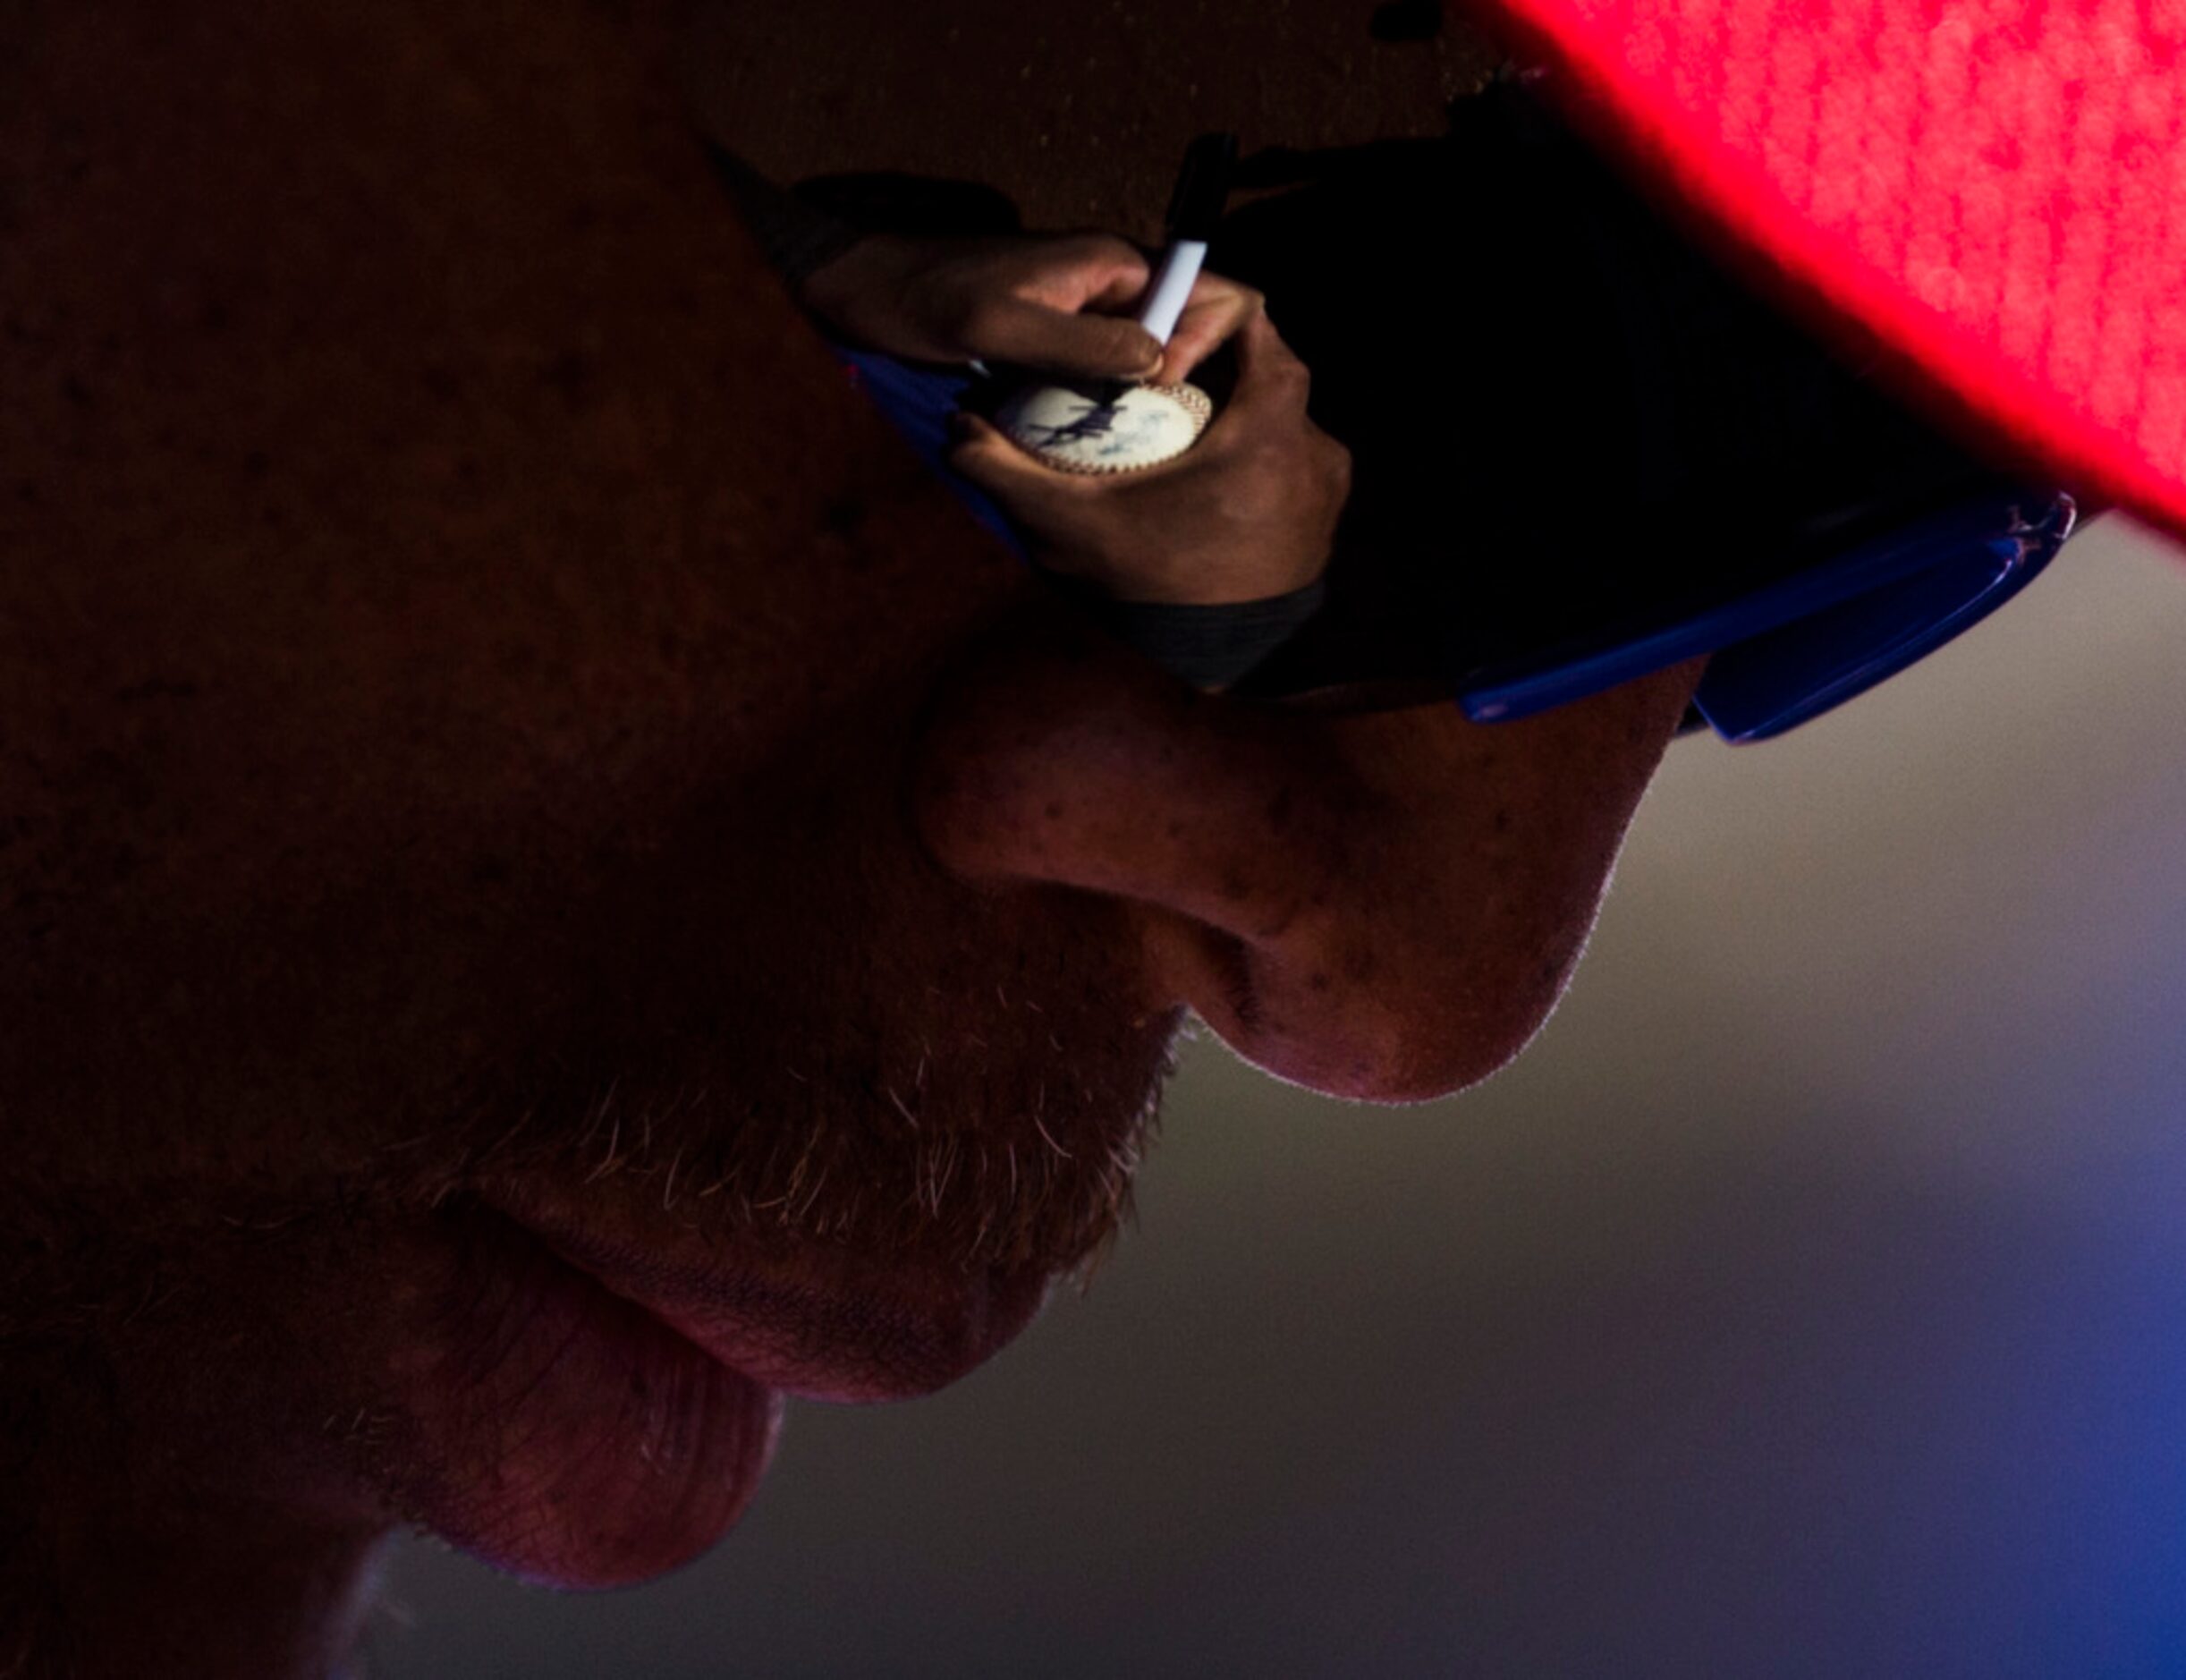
<point>1993,194</point>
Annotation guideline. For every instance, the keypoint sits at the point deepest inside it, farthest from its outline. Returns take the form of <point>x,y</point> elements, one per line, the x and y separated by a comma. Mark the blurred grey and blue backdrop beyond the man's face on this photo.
<point>1809,1300</point>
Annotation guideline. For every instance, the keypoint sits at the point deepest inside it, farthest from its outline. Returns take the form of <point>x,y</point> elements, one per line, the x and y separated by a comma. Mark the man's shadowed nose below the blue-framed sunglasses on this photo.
<point>1380,907</point>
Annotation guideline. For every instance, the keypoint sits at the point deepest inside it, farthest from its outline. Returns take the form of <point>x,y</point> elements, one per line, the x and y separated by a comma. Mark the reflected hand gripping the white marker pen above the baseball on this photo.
<point>1039,303</point>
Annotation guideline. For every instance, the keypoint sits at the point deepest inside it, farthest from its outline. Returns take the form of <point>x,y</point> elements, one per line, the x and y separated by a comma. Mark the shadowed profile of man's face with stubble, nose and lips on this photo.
<point>559,889</point>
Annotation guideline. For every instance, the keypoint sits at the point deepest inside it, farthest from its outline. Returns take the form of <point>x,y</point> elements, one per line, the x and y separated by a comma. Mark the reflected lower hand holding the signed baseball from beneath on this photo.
<point>1243,515</point>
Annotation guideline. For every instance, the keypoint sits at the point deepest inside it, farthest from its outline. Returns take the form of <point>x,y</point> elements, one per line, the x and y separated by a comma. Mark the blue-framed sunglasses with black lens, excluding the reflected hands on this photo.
<point>1903,541</point>
